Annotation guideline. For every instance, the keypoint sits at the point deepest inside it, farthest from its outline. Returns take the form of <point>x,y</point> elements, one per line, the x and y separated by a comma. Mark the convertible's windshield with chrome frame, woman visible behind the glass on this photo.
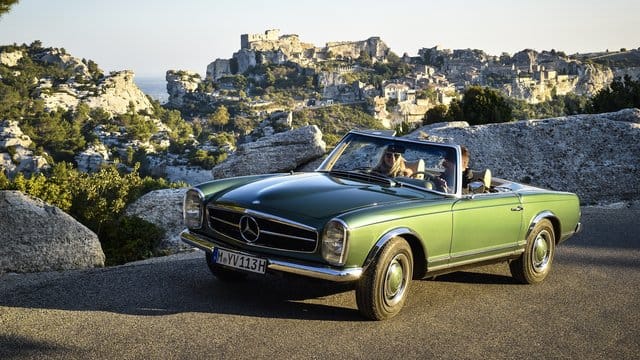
<point>423,164</point>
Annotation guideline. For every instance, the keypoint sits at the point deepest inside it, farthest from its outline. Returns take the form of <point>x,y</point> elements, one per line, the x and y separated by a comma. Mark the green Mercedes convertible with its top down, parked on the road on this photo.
<point>379,211</point>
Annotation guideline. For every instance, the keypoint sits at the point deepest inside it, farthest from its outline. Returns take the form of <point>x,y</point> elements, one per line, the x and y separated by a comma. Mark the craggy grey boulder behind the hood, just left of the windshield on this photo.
<point>281,152</point>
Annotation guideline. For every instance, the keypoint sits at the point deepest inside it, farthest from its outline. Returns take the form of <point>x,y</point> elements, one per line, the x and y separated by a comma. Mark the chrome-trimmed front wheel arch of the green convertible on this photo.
<point>414,241</point>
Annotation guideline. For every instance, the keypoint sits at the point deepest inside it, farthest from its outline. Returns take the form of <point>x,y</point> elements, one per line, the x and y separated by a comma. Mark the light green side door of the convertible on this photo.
<point>485,226</point>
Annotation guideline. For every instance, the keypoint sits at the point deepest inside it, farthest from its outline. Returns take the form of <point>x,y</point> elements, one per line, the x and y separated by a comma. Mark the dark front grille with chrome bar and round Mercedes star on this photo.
<point>264,230</point>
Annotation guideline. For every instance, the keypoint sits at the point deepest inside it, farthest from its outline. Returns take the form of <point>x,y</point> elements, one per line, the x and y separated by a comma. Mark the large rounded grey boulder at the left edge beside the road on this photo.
<point>37,237</point>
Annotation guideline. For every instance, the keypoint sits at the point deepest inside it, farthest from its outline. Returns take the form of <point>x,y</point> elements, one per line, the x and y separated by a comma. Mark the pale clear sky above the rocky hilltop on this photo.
<point>153,36</point>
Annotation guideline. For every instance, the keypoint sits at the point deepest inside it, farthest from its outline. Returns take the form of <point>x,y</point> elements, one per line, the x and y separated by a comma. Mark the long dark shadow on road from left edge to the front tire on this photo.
<point>179,287</point>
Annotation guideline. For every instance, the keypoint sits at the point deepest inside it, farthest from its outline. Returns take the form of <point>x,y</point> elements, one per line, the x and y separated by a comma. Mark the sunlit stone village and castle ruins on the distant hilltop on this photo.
<point>435,76</point>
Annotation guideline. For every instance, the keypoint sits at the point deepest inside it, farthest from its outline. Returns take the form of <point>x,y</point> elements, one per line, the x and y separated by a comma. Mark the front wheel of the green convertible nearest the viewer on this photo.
<point>383,288</point>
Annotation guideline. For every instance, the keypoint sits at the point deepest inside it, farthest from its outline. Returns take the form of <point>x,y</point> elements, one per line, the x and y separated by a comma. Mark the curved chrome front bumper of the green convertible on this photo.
<point>278,265</point>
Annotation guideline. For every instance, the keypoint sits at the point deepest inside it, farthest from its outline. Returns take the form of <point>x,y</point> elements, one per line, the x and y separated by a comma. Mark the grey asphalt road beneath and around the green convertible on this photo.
<point>589,308</point>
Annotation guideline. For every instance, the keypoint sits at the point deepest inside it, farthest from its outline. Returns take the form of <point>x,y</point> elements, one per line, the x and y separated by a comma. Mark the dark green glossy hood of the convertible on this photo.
<point>313,195</point>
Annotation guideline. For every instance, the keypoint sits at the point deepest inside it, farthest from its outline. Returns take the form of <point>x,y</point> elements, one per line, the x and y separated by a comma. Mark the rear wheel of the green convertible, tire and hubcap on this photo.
<point>533,266</point>
